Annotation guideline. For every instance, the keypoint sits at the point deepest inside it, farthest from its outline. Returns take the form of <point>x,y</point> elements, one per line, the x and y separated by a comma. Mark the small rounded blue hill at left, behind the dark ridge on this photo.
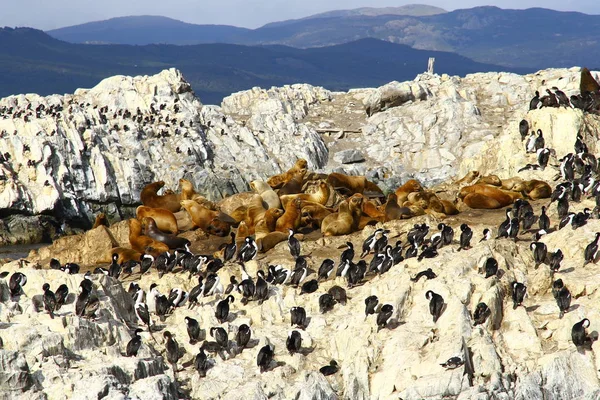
<point>146,29</point>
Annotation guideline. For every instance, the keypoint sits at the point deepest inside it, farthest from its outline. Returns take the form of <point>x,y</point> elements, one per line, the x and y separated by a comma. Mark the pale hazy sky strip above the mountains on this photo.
<point>50,14</point>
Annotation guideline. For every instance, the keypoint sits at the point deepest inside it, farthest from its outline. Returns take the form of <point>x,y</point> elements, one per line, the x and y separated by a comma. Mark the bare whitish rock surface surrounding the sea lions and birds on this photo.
<point>435,129</point>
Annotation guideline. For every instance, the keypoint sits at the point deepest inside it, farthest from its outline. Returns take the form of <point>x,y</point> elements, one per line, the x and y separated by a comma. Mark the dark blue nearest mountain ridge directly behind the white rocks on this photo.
<point>32,61</point>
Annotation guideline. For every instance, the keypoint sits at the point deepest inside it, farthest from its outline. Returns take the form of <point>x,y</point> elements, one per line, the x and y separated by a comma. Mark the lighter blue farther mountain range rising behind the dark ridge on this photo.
<point>533,38</point>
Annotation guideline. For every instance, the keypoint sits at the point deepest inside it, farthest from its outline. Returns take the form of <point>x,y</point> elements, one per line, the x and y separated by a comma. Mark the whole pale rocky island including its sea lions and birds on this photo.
<point>454,318</point>
